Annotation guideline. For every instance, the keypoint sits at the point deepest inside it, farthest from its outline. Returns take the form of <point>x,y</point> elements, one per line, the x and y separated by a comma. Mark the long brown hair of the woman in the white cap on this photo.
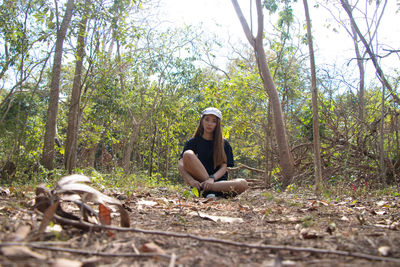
<point>218,149</point>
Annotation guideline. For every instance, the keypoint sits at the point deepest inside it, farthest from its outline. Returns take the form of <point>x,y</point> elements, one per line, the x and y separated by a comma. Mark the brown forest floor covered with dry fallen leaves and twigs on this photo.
<point>258,228</point>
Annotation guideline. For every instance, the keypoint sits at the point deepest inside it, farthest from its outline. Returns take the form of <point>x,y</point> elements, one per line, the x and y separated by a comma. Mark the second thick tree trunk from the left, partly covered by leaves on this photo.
<point>71,145</point>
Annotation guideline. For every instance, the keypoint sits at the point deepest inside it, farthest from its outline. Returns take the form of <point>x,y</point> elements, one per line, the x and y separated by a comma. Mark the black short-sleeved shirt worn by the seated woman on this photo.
<point>204,150</point>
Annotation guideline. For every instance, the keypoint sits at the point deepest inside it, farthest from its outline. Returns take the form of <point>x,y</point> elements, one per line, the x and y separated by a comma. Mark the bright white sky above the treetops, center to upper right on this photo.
<point>219,16</point>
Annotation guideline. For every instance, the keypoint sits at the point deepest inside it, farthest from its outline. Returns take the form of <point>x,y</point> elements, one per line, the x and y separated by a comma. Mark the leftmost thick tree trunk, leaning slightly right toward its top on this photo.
<point>51,123</point>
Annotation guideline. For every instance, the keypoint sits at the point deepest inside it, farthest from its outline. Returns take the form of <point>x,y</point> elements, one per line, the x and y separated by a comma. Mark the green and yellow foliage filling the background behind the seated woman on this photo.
<point>147,87</point>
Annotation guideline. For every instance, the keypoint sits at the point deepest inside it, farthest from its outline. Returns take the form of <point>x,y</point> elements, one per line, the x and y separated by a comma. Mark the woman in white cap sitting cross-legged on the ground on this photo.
<point>206,157</point>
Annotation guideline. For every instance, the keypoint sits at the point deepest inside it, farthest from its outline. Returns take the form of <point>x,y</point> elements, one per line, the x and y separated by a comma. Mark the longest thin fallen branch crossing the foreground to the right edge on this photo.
<point>225,242</point>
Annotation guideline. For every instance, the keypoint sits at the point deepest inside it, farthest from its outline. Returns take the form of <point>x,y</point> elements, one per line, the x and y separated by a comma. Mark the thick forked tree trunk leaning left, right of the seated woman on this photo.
<point>285,155</point>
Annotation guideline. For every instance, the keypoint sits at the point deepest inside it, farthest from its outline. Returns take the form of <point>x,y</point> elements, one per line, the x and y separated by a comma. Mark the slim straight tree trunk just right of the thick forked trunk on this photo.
<point>314,93</point>
